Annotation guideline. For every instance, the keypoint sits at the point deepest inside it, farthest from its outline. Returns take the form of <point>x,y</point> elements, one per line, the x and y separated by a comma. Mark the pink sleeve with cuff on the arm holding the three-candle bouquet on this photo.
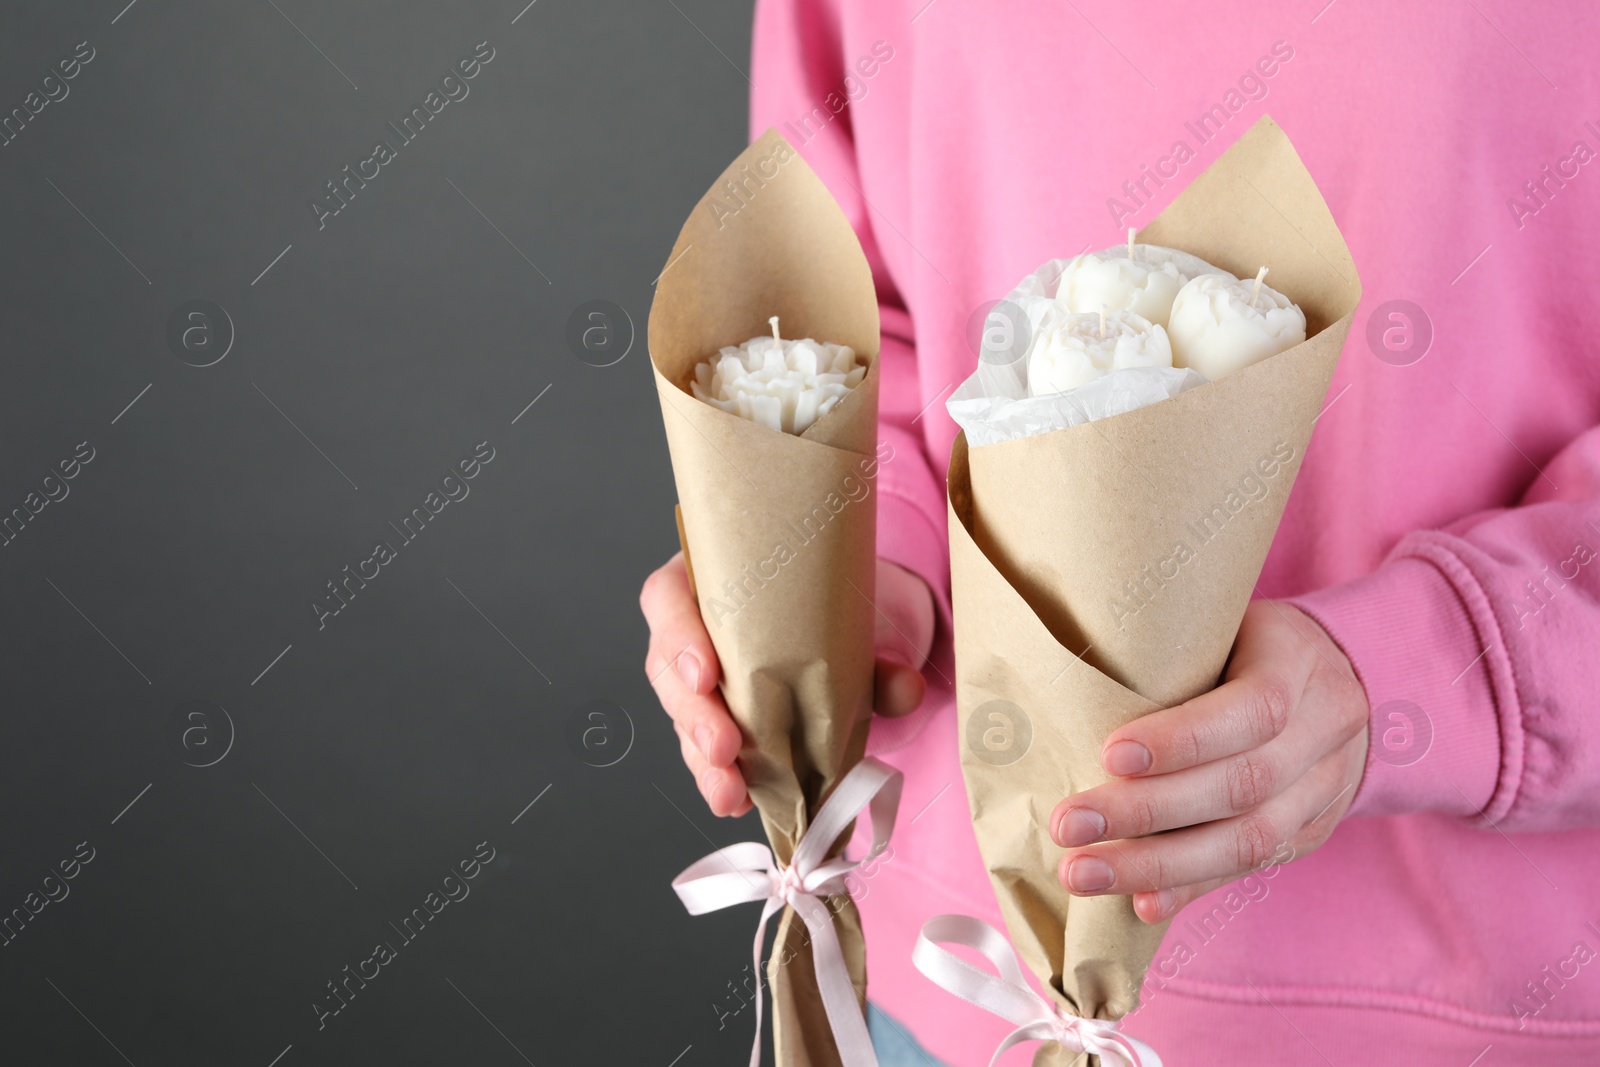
<point>1478,645</point>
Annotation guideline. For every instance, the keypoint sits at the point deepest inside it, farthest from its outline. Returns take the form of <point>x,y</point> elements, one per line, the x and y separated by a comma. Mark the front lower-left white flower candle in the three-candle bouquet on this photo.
<point>1076,350</point>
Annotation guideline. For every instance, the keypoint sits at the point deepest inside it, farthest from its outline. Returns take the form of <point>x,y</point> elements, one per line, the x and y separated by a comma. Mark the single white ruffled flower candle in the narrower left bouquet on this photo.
<point>782,385</point>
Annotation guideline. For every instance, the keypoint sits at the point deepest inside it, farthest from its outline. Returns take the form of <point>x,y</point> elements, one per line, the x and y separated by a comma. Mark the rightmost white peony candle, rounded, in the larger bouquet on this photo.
<point>1222,326</point>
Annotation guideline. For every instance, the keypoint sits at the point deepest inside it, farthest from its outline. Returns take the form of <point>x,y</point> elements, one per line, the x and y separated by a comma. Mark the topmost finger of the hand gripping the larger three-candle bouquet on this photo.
<point>1266,681</point>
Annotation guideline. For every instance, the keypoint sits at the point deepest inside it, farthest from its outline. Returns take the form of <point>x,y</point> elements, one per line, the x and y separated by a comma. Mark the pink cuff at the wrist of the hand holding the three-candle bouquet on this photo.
<point>1436,740</point>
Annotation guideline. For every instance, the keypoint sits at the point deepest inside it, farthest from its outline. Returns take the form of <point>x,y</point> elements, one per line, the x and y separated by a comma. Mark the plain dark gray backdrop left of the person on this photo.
<point>369,361</point>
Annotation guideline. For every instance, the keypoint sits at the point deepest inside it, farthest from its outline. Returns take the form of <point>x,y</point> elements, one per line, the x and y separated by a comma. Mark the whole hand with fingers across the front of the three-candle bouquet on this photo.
<point>1270,759</point>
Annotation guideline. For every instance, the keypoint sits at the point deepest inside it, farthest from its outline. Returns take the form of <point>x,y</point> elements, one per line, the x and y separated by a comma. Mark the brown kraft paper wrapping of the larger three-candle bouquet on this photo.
<point>1102,572</point>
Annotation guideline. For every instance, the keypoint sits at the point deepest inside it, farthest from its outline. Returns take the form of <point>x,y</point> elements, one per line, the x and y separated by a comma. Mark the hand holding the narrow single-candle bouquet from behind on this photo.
<point>682,668</point>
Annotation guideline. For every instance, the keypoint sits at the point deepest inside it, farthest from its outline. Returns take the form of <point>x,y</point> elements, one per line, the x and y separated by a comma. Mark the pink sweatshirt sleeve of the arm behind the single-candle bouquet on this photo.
<point>799,66</point>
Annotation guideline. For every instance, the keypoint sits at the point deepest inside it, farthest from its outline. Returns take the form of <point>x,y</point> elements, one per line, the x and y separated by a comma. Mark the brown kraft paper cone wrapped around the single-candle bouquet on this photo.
<point>780,529</point>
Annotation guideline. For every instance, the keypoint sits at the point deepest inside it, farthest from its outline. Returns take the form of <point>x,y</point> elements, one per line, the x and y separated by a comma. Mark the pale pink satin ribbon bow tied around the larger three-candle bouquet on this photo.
<point>1010,997</point>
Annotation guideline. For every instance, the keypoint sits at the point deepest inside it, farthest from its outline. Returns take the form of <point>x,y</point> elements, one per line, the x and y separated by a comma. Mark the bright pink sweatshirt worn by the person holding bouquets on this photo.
<point>1446,527</point>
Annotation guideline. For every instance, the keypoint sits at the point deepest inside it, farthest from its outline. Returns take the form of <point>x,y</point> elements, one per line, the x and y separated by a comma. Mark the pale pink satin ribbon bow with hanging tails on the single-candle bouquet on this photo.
<point>740,874</point>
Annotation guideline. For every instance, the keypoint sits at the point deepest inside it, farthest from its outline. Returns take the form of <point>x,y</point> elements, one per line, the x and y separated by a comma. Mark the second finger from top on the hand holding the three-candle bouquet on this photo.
<point>1169,802</point>
